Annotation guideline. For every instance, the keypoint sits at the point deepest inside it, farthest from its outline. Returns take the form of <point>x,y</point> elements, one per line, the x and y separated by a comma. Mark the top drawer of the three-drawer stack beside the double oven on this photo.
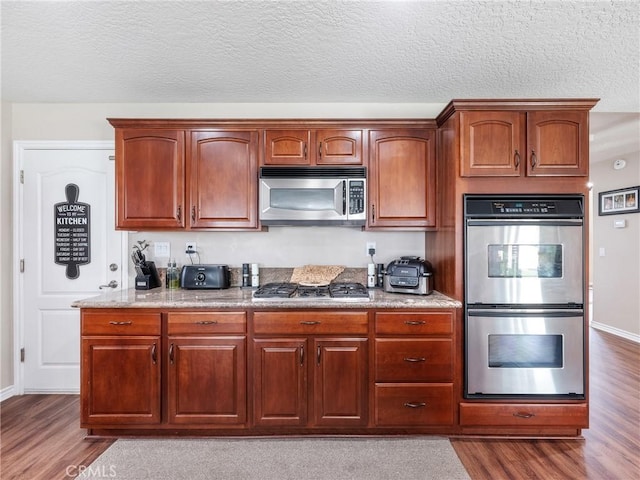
<point>410,323</point>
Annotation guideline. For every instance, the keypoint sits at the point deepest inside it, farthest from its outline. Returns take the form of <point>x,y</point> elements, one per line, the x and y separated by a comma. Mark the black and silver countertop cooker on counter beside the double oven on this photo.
<point>409,275</point>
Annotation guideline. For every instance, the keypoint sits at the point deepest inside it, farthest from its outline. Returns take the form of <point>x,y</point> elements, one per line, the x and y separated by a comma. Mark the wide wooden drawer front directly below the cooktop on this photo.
<point>310,323</point>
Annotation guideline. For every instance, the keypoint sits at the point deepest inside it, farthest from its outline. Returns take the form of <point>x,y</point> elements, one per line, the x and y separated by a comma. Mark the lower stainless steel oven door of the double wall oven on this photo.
<point>524,352</point>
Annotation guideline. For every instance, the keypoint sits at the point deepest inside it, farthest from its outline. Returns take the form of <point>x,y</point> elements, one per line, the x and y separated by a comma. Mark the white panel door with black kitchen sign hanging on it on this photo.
<point>70,250</point>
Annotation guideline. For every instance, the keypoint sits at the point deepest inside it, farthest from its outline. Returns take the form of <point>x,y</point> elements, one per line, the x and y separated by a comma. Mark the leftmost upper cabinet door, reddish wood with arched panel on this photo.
<point>150,178</point>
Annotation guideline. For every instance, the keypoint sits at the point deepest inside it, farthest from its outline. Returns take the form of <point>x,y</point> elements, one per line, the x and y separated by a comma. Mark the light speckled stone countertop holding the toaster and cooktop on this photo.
<point>236,297</point>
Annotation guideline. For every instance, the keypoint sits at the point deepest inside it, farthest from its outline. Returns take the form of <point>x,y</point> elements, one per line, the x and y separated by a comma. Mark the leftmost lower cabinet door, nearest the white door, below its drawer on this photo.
<point>120,381</point>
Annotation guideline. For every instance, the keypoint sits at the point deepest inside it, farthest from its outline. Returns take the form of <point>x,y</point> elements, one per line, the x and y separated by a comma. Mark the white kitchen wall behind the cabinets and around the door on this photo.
<point>277,248</point>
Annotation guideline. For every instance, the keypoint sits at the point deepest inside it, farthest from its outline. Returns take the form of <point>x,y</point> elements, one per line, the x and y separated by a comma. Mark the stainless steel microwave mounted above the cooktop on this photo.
<point>313,196</point>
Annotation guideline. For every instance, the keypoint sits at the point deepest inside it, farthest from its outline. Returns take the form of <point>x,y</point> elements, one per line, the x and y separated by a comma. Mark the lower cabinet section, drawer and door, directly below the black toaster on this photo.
<point>206,373</point>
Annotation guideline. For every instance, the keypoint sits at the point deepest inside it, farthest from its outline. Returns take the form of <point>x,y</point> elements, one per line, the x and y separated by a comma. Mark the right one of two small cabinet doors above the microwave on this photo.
<point>339,147</point>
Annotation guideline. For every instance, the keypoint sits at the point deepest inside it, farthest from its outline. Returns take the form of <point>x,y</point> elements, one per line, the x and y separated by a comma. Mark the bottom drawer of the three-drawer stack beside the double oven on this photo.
<point>401,404</point>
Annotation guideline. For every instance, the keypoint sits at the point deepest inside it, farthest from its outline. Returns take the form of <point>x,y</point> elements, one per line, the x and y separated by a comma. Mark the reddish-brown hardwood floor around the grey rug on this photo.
<point>41,438</point>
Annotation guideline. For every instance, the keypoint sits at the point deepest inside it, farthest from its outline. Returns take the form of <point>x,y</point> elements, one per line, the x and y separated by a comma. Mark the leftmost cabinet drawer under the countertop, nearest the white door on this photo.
<point>109,323</point>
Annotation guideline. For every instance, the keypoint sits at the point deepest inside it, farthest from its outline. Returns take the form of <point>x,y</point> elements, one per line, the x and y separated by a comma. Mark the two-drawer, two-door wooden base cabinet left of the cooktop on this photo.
<point>128,370</point>
